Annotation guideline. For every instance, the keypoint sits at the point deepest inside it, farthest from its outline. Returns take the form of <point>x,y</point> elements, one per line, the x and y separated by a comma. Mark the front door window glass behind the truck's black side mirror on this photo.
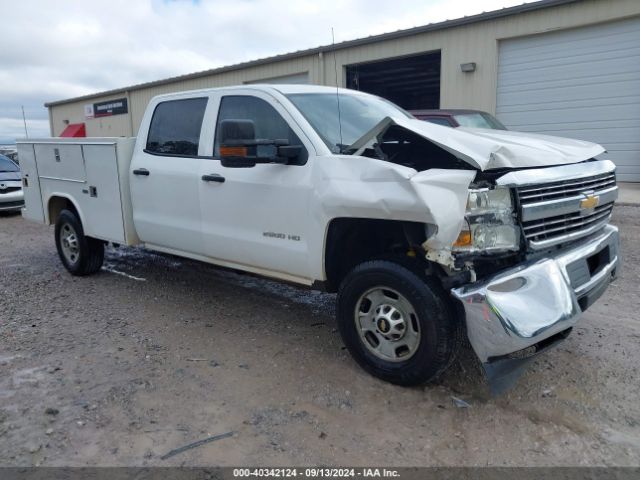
<point>268,123</point>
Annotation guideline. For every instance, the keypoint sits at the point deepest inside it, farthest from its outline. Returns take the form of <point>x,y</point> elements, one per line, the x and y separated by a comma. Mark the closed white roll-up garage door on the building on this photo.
<point>581,83</point>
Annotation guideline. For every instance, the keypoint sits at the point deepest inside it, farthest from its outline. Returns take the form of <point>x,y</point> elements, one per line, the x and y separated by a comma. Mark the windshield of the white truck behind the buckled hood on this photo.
<point>358,115</point>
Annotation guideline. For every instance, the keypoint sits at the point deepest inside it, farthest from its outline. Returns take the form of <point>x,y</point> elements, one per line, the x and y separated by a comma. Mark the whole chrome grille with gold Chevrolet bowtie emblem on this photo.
<point>552,212</point>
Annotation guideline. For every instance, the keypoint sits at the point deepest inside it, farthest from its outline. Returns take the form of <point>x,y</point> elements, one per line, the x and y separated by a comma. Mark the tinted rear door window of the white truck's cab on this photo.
<point>175,127</point>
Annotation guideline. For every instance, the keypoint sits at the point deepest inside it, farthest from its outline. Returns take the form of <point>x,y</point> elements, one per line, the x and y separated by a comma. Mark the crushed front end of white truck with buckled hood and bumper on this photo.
<point>526,245</point>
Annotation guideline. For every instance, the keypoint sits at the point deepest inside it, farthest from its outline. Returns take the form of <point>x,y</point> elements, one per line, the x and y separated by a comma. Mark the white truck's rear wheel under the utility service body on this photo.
<point>79,254</point>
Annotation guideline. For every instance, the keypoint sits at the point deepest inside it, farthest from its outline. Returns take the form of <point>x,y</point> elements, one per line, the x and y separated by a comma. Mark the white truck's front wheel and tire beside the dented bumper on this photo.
<point>419,313</point>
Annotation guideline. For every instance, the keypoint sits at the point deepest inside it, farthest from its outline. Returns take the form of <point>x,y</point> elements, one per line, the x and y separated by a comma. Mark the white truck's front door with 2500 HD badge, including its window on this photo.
<point>257,216</point>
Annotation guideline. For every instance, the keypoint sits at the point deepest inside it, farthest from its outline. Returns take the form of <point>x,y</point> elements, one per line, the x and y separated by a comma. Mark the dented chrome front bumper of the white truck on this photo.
<point>523,310</point>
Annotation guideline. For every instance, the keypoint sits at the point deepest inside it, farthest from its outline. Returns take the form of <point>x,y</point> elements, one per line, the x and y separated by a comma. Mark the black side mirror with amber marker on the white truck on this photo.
<point>240,149</point>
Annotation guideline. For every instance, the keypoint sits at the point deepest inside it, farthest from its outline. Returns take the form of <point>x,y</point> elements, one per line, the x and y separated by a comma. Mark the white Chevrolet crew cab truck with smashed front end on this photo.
<point>427,233</point>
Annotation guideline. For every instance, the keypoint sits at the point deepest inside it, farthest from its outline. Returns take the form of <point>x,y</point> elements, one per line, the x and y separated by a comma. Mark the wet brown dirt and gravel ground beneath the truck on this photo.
<point>156,352</point>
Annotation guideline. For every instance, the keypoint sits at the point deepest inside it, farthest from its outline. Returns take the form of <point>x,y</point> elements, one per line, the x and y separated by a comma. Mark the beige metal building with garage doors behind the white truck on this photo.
<point>561,67</point>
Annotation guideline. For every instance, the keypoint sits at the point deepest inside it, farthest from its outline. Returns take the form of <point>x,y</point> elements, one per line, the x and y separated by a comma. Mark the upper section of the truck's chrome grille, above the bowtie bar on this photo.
<point>565,189</point>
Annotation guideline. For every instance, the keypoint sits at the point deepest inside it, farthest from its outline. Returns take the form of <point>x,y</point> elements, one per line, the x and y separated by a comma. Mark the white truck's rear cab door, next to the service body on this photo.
<point>164,176</point>
